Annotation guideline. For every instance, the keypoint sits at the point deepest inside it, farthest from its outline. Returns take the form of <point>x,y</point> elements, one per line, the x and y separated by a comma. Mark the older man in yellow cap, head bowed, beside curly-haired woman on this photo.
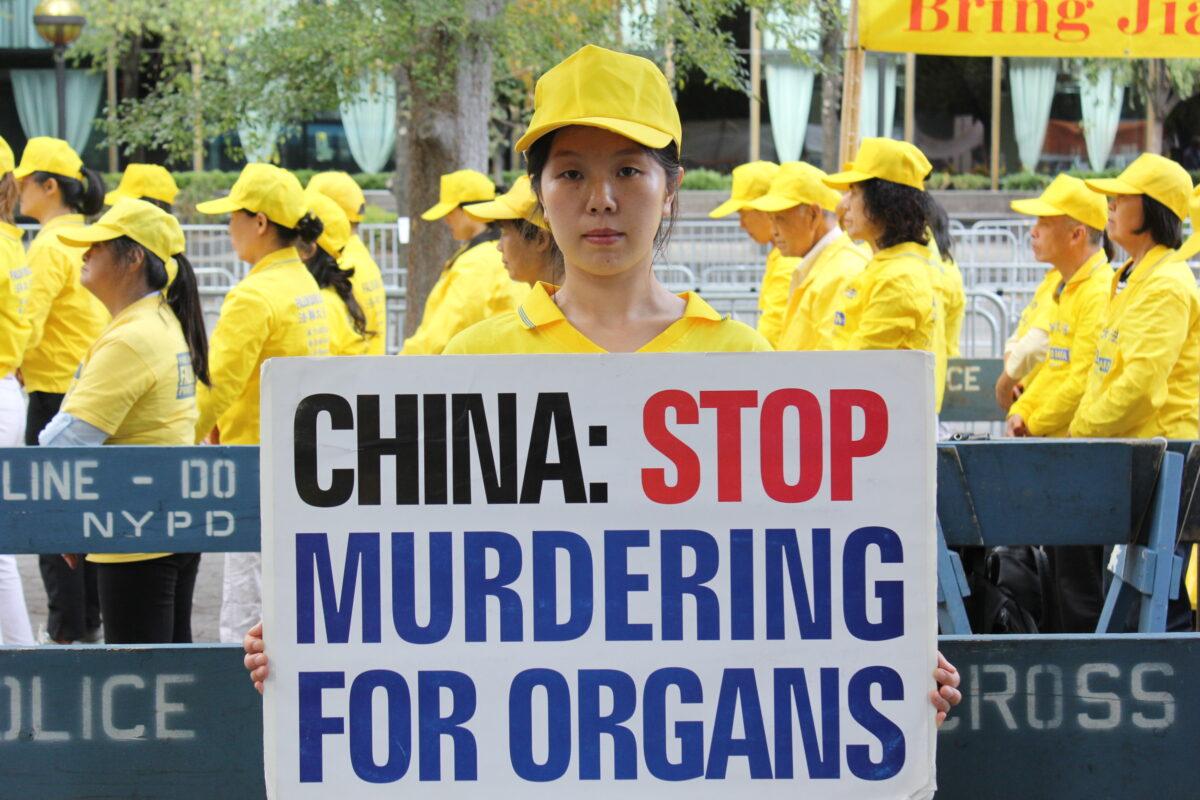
<point>805,227</point>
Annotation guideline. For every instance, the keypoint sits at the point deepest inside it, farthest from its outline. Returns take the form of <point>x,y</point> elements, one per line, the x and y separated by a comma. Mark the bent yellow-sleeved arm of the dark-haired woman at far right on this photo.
<point>1153,334</point>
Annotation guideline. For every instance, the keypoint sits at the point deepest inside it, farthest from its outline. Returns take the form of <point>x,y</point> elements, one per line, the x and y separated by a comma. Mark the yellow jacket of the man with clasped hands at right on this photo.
<point>1051,401</point>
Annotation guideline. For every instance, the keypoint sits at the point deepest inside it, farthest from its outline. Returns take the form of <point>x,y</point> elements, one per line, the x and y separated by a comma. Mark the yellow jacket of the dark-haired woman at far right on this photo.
<point>1147,377</point>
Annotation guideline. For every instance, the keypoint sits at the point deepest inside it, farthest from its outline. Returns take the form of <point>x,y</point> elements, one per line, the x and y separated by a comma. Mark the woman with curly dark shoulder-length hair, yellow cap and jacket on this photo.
<point>892,305</point>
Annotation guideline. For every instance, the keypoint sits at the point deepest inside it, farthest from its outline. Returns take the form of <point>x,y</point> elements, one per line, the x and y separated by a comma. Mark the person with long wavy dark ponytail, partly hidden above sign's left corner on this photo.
<point>347,323</point>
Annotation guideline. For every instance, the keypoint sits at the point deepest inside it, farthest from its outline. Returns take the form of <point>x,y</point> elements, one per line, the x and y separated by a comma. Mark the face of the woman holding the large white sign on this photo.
<point>604,199</point>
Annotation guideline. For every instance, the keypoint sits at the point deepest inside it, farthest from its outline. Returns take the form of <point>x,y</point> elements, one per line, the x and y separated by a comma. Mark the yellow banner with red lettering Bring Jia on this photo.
<point>1132,29</point>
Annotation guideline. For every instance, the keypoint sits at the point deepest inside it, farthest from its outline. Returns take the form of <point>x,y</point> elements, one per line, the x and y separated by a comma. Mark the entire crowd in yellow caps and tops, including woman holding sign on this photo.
<point>104,341</point>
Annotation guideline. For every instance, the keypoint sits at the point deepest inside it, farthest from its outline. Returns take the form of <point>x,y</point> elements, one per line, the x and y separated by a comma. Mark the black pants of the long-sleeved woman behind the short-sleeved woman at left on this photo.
<point>71,594</point>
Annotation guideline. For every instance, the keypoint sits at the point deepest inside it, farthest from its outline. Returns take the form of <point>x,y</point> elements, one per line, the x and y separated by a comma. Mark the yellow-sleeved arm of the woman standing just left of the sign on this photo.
<point>235,352</point>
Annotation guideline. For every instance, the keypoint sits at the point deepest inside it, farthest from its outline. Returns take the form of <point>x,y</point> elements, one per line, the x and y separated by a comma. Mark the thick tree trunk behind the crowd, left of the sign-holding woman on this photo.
<point>448,131</point>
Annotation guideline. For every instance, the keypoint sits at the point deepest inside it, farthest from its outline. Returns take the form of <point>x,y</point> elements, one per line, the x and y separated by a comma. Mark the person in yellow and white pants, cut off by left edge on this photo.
<point>15,279</point>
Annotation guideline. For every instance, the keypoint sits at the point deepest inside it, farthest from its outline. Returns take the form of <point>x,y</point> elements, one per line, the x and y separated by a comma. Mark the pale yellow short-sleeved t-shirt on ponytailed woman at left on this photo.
<point>136,384</point>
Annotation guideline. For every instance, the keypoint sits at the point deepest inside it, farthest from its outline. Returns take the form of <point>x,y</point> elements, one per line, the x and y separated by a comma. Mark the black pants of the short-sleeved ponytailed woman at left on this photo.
<point>149,603</point>
